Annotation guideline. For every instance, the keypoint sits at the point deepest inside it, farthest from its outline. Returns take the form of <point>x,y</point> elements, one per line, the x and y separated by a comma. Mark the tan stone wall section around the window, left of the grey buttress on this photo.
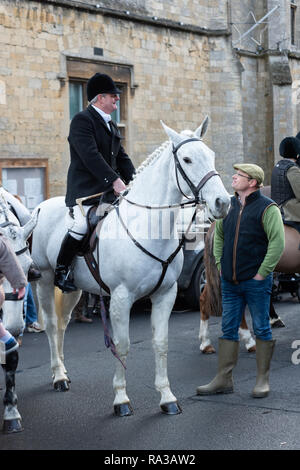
<point>171,71</point>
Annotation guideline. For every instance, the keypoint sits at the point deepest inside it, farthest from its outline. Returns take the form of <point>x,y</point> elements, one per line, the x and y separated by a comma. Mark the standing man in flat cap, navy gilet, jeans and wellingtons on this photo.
<point>248,244</point>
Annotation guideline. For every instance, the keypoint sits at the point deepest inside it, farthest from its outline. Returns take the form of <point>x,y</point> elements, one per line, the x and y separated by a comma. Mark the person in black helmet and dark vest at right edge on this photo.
<point>285,182</point>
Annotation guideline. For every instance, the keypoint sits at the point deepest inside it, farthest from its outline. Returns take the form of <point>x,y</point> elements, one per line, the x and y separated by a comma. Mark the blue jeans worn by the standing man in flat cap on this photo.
<point>235,297</point>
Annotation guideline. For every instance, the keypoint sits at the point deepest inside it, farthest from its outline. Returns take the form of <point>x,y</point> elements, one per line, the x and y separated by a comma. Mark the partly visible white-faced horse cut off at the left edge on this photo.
<point>13,310</point>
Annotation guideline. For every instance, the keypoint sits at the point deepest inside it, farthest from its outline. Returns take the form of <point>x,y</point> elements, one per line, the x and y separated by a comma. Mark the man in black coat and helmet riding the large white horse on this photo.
<point>98,164</point>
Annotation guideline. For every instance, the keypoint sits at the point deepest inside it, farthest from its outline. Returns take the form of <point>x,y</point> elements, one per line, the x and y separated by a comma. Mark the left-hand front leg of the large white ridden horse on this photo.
<point>120,305</point>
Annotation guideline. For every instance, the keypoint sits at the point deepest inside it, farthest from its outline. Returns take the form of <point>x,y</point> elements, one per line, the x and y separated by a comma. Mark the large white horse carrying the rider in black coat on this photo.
<point>182,166</point>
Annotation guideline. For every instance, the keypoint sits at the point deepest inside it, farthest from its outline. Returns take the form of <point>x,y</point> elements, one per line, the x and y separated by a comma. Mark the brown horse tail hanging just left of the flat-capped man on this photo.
<point>210,299</point>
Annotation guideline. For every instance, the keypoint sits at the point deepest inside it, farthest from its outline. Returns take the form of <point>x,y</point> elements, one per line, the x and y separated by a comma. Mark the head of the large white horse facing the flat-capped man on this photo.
<point>195,173</point>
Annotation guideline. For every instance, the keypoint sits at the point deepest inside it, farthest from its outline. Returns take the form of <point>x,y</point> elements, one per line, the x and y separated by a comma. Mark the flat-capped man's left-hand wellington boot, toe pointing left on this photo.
<point>223,383</point>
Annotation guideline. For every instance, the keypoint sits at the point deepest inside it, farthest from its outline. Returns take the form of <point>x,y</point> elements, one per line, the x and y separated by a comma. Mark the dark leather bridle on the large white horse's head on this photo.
<point>178,168</point>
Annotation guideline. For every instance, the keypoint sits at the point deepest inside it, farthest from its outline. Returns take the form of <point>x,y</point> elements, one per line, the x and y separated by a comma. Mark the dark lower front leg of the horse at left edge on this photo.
<point>12,417</point>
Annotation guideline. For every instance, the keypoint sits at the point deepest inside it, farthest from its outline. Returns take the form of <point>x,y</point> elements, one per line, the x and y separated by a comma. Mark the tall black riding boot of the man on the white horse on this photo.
<point>68,250</point>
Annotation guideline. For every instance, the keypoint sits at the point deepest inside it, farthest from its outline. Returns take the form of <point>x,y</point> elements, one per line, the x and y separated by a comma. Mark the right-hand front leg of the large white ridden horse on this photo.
<point>162,304</point>
